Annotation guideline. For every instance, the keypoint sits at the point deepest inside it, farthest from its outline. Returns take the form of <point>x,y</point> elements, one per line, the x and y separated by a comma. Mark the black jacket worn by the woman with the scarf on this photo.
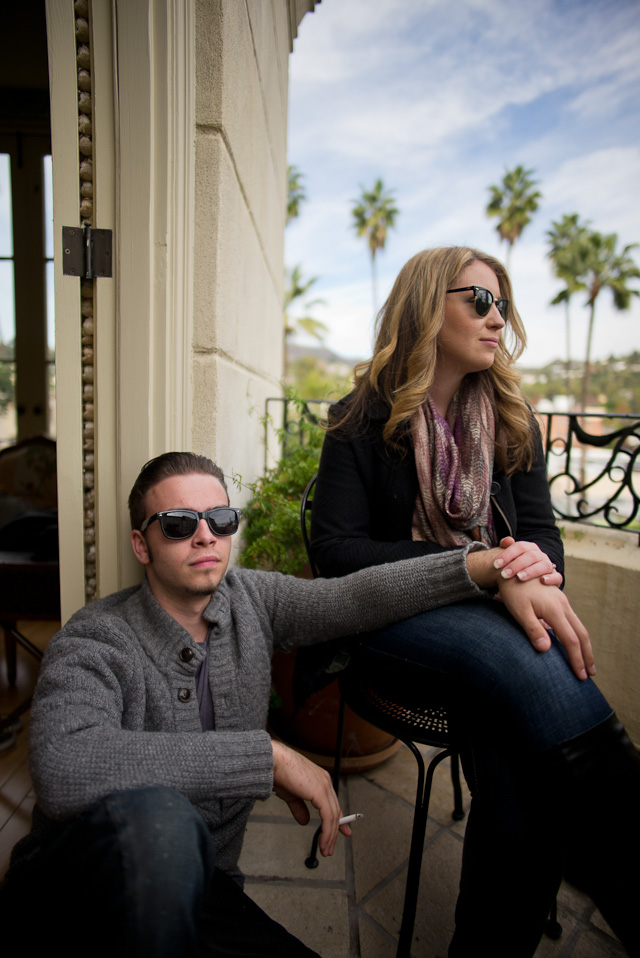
<point>365,495</point>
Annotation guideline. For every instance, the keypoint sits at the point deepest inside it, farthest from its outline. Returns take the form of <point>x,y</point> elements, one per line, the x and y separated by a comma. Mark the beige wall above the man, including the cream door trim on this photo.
<point>189,154</point>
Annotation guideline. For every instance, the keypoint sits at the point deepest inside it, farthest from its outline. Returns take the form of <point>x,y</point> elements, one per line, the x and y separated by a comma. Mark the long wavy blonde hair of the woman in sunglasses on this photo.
<point>402,368</point>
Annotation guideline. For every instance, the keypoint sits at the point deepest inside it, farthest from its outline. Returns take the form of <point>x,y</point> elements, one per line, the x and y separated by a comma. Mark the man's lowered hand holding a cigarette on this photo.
<point>296,780</point>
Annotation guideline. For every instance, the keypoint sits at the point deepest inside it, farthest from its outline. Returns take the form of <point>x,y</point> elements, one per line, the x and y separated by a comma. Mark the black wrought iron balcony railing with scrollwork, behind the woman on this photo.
<point>593,459</point>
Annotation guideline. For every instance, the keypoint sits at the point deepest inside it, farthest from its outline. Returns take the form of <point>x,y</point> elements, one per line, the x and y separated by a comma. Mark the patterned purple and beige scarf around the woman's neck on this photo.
<point>454,459</point>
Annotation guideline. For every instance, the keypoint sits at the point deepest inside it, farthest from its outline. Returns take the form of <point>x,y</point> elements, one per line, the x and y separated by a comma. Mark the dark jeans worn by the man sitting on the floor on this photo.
<point>135,876</point>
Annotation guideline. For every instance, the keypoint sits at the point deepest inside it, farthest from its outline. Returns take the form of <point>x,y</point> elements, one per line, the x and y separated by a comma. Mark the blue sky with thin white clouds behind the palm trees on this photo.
<point>438,99</point>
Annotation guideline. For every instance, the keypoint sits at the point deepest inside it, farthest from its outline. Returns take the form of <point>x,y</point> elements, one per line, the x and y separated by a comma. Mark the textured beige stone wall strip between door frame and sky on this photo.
<point>242,52</point>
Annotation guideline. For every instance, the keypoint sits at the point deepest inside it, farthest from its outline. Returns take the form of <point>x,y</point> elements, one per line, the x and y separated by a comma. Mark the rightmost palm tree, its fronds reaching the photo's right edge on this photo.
<point>605,268</point>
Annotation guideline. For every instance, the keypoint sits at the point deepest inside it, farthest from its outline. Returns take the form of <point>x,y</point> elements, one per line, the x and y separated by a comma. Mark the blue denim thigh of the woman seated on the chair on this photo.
<point>483,655</point>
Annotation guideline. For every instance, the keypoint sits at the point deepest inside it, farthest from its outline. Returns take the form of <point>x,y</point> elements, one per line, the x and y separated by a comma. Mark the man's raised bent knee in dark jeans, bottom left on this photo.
<point>136,865</point>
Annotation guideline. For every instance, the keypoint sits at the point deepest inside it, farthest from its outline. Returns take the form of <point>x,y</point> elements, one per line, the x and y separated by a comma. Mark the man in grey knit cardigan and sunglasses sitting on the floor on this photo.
<point>148,746</point>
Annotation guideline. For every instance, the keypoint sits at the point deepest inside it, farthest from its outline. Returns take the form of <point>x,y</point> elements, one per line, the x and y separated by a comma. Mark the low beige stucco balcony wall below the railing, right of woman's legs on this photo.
<point>603,585</point>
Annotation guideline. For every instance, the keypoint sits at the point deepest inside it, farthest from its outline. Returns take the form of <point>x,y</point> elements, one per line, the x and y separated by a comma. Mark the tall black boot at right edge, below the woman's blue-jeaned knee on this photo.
<point>599,772</point>
